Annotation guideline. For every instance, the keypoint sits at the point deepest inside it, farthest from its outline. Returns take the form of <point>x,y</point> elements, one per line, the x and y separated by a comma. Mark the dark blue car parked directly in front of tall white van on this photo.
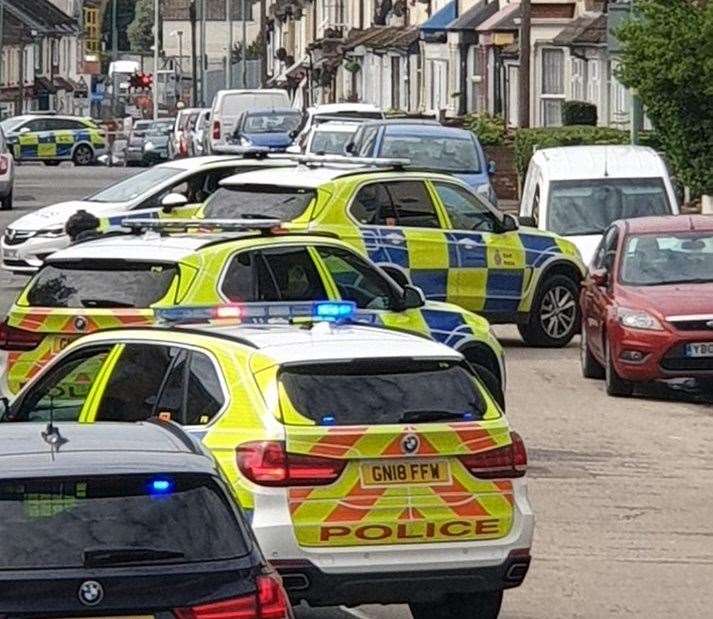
<point>273,129</point>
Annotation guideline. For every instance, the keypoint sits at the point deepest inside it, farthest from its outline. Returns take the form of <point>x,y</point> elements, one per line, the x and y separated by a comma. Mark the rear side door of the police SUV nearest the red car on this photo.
<point>403,232</point>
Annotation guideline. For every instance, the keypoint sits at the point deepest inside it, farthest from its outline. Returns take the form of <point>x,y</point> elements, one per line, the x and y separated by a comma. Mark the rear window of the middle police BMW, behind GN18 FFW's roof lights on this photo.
<point>95,283</point>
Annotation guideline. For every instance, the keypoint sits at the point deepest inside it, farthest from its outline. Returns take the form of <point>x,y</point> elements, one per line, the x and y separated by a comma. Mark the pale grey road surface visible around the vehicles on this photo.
<point>622,488</point>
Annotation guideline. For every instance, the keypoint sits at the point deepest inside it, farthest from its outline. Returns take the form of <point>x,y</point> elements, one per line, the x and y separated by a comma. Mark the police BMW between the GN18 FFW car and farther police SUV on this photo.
<point>117,280</point>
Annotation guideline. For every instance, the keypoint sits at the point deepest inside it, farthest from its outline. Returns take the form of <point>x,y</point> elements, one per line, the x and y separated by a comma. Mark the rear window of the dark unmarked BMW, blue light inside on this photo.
<point>100,521</point>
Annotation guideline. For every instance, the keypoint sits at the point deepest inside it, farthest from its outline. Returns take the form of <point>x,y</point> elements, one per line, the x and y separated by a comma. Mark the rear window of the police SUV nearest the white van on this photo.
<point>285,203</point>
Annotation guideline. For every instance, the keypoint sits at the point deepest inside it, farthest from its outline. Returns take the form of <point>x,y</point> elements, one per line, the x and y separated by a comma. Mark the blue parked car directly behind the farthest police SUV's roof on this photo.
<point>429,146</point>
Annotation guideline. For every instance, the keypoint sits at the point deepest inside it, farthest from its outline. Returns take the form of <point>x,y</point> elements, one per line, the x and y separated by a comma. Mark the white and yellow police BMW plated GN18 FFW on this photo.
<point>375,466</point>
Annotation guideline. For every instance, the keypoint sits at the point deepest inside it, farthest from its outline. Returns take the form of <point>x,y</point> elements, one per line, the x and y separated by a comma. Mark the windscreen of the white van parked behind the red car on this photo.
<point>582,207</point>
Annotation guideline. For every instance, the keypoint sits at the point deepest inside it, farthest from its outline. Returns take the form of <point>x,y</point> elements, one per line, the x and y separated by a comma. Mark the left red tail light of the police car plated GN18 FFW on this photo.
<point>267,463</point>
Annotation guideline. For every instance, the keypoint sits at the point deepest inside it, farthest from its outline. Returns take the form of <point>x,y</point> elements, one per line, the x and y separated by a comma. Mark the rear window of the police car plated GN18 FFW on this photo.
<point>376,391</point>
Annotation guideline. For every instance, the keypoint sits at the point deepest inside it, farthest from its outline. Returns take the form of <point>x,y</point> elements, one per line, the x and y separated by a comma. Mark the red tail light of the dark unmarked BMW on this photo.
<point>268,602</point>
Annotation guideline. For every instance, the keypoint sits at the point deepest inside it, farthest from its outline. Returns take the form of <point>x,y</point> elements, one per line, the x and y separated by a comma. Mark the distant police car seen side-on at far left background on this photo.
<point>52,139</point>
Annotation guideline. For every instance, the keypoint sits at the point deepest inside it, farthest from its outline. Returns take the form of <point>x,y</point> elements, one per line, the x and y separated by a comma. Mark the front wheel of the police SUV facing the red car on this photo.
<point>554,316</point>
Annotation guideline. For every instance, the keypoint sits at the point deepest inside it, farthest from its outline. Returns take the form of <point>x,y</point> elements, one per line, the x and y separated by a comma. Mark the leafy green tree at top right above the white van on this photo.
<point>668,59</point>
